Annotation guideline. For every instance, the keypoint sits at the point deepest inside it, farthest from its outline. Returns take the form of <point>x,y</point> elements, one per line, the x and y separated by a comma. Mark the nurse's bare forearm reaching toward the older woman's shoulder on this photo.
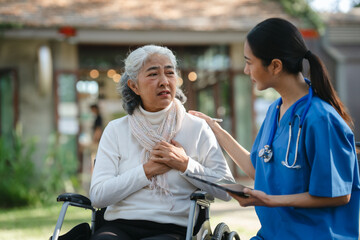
<point>238,154</point>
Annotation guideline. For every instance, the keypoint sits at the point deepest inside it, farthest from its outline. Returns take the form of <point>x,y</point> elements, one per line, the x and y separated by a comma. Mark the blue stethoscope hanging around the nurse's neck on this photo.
<point>266,152</point>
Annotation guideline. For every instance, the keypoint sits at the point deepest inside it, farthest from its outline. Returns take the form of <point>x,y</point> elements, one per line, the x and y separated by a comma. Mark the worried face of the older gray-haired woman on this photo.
<point>156,83</point>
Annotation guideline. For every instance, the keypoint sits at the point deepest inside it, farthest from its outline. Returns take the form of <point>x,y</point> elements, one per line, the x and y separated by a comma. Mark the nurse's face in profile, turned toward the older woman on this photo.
<point>259,74</point>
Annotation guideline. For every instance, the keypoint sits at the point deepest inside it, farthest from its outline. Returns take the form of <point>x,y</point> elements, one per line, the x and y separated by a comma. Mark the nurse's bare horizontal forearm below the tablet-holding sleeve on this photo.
<point>305,200</point>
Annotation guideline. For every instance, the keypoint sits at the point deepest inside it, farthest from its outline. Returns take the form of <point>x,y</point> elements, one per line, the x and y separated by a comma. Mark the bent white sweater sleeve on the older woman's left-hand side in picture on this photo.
<point>108,186</point>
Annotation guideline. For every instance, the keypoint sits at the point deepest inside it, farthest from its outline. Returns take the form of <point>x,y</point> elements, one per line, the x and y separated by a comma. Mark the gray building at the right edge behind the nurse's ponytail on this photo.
<point>341,48</point>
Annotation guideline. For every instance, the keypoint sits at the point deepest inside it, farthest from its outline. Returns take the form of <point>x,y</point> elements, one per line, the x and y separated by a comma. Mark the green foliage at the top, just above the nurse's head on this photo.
<point>301,9</point>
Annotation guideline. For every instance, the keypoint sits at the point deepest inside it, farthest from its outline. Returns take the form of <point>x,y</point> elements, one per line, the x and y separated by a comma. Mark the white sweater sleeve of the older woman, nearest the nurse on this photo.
<point>210,164</point>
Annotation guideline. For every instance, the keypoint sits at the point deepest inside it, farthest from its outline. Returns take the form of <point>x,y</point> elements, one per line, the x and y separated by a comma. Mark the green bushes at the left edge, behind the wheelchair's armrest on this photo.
<point>22,184</point>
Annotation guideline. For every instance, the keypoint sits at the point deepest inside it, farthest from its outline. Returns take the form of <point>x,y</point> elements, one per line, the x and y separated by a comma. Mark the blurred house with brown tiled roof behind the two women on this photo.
<point>57,58</point>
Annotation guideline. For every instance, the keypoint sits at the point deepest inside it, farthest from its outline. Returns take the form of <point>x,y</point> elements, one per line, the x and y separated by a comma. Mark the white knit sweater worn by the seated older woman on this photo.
<point>119,182</point>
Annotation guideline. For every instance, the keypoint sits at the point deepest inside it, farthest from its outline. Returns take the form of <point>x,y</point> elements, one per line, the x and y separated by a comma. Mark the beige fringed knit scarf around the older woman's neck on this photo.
<point>148,137</point>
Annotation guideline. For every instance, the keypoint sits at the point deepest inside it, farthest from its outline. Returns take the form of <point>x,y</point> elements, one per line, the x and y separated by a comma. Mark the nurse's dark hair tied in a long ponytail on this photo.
<point>276,38</point>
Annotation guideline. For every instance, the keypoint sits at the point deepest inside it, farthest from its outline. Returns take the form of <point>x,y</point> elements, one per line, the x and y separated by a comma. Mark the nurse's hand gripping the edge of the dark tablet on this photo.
<point>256,198</point>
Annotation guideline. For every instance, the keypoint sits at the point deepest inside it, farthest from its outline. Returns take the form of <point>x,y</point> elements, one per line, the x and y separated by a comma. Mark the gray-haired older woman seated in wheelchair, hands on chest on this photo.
<point>143,158</point>
